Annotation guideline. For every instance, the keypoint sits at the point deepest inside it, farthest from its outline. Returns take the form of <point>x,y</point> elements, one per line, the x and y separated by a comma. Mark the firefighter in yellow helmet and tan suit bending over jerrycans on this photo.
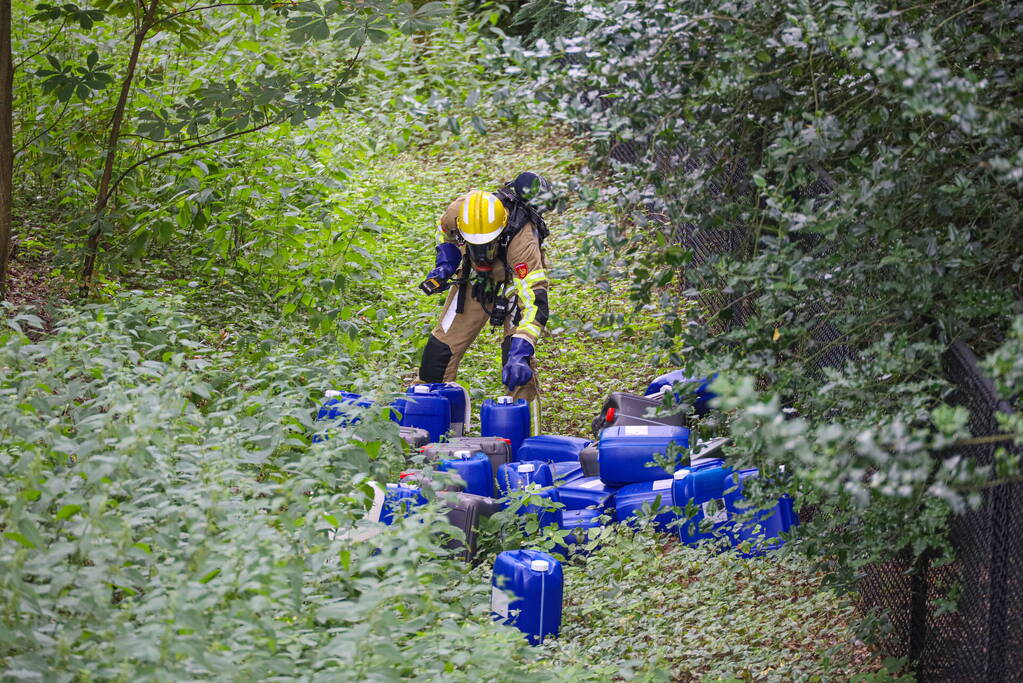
<point>490,259</point>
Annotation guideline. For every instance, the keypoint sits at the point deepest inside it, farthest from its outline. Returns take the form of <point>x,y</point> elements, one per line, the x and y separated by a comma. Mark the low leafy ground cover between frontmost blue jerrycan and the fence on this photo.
<point>663,612</point>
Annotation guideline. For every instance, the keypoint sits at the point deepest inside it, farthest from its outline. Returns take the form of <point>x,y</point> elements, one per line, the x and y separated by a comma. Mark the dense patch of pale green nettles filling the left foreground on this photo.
<point>166,517</point>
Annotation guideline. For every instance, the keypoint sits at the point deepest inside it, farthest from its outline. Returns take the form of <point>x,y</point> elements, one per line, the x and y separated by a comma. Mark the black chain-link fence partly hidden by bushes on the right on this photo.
<point>957,622</point>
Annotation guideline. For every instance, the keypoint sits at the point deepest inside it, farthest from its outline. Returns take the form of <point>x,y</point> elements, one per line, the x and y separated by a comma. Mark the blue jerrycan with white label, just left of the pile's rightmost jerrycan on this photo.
<point>705,487</point>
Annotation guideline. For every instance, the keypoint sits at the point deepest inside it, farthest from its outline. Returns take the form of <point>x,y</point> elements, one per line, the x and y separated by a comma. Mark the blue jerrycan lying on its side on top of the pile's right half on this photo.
<point>627,453</point>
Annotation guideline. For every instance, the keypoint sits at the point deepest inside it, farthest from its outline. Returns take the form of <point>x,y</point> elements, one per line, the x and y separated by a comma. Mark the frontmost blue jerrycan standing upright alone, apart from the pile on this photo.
<point>536,583</point>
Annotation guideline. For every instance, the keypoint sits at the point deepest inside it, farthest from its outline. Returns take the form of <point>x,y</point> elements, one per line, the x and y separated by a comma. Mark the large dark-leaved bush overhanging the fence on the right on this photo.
<point>838,187</point>
